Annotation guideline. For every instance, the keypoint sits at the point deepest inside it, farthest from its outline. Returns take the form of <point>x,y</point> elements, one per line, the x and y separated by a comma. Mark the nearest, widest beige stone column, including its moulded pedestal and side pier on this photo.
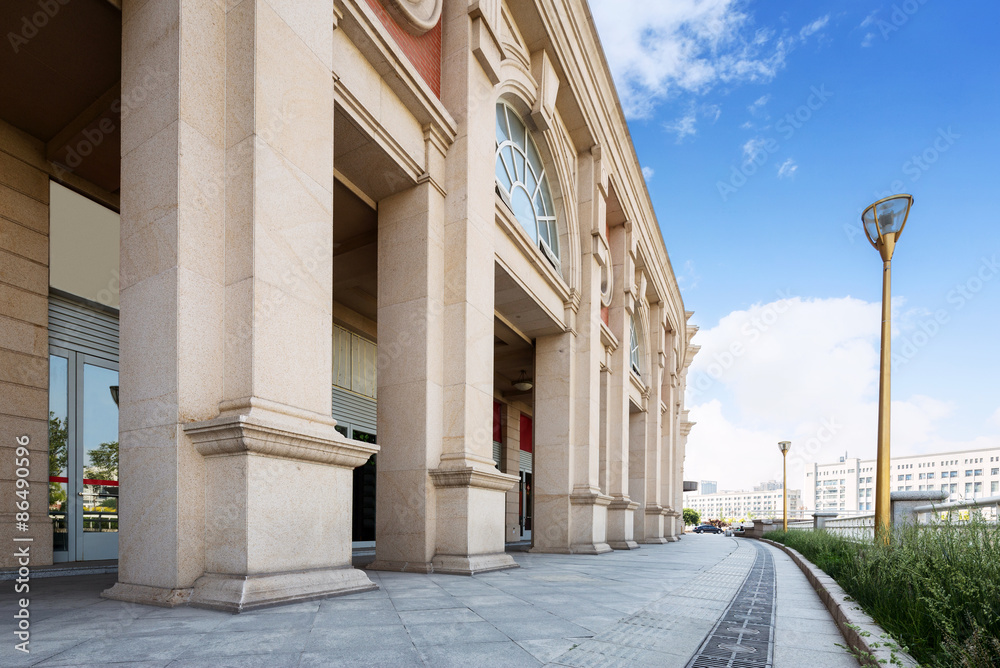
<point>236,328</point>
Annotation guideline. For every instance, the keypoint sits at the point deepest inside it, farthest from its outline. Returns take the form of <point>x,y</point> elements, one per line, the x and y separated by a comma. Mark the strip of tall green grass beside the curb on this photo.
<point>936,589</point>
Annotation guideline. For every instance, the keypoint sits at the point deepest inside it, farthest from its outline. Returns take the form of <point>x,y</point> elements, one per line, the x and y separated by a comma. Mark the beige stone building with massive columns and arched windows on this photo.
<point>280,276</point>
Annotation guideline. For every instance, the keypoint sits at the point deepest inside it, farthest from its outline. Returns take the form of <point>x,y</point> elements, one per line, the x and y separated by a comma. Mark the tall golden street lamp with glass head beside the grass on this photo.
<point>884,221</point>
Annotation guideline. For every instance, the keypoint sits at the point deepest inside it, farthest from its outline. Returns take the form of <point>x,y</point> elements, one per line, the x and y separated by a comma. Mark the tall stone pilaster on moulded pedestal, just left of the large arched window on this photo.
<point>469,489</point>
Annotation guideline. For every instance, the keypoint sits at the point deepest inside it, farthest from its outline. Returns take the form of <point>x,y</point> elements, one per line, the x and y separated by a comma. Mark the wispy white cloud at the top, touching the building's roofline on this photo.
<point>657,48</point>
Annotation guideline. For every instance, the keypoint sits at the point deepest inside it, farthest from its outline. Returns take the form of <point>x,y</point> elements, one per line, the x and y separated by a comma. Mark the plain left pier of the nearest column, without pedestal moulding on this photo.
<point>171,292</point>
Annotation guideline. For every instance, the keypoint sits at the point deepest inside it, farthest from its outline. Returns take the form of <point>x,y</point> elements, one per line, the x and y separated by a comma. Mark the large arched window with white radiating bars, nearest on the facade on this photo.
<point>523,184</point>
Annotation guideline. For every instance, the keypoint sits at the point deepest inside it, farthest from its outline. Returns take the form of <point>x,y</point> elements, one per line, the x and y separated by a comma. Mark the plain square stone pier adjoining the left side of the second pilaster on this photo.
<point>411,343</point>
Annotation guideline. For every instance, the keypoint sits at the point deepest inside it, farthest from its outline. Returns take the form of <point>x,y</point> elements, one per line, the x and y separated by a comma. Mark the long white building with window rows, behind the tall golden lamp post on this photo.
<point>849,485</point>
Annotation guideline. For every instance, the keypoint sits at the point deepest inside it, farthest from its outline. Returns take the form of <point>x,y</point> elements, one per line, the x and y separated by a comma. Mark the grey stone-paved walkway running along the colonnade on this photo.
<point>657,606</point>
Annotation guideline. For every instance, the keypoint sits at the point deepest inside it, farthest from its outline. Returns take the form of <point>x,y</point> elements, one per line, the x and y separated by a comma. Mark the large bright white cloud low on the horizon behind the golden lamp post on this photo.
<point>804,370</point>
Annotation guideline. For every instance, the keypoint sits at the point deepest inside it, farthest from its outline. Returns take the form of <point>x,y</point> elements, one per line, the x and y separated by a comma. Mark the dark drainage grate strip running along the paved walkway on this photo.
<point>744,636</point>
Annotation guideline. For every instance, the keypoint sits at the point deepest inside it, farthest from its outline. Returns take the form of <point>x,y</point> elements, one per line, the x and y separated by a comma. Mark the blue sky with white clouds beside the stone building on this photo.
<point>764,129</point>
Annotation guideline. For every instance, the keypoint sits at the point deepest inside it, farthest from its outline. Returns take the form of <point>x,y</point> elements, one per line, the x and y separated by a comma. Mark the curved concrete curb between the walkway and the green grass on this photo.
<point>858,629</point>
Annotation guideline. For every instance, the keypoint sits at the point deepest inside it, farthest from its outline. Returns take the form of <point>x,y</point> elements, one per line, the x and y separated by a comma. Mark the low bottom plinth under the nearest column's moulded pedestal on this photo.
<point>237,593</point>
